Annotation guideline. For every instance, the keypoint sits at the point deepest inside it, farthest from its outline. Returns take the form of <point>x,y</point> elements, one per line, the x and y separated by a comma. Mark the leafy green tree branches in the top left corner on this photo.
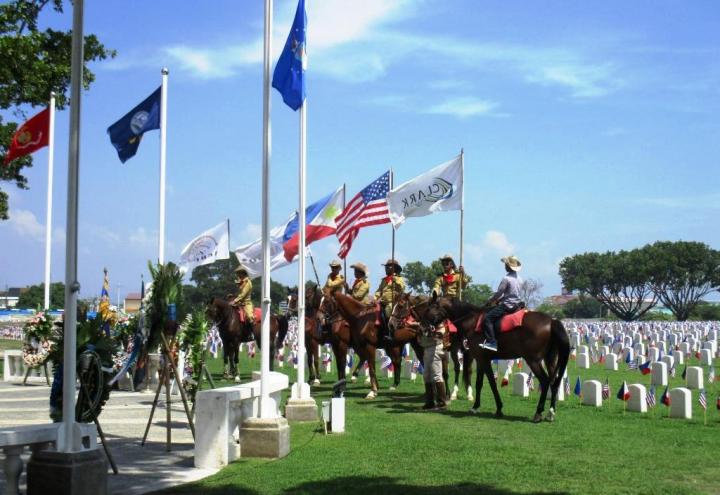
<point>34,63</point>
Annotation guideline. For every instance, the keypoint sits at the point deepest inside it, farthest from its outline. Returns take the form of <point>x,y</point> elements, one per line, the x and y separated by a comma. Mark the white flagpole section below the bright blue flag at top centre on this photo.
<point>301,390</point>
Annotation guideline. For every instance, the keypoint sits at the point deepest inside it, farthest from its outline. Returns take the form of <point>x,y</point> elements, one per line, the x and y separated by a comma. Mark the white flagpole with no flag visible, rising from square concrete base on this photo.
<point>266,409</point>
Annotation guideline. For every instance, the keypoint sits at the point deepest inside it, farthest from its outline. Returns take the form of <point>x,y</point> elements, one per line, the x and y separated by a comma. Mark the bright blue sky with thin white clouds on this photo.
<point>586,126</point>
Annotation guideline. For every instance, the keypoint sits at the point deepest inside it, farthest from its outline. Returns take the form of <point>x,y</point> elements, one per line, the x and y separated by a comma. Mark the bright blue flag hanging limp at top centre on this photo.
<point>289,75</point>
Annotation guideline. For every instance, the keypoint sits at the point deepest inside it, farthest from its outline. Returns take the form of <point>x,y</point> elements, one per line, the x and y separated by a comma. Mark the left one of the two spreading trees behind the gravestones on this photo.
<point>620,281</point>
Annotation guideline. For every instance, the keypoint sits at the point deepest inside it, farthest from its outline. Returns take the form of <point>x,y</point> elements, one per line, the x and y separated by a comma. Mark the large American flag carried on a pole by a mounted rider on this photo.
<point>368,207</point>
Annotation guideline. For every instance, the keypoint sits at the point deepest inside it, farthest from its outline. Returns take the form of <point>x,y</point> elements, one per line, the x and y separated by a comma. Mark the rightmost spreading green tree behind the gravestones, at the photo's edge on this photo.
<point>682,273</point>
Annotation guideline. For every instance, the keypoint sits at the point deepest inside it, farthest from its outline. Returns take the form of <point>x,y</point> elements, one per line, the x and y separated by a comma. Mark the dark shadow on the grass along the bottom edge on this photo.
<point>359,485</point>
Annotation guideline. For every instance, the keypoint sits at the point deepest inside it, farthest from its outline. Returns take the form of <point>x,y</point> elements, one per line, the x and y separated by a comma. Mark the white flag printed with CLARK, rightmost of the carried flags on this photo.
<point>440,189</point>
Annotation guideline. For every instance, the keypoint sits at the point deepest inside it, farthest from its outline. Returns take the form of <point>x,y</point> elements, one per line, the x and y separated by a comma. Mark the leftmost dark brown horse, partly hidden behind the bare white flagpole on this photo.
<point>233,332</point>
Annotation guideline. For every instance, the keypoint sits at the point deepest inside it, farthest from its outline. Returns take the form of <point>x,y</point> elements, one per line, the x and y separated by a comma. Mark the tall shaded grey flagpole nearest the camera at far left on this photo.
<point>66,435</point>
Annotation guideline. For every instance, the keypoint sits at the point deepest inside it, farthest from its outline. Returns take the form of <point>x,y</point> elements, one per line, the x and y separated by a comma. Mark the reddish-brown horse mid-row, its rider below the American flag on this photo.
<point>365,338</point>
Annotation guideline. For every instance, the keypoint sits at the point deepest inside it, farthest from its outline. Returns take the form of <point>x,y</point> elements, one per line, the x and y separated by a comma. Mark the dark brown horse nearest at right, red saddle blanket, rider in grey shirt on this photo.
<point>539,340</point>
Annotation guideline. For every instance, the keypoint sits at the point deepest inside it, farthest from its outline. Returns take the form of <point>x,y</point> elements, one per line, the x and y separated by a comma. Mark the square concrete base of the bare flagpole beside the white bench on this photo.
<point>269,438</point>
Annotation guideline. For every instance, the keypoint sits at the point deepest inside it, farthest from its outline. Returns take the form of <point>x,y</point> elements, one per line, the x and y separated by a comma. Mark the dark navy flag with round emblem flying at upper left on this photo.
<point>126,133</point>
